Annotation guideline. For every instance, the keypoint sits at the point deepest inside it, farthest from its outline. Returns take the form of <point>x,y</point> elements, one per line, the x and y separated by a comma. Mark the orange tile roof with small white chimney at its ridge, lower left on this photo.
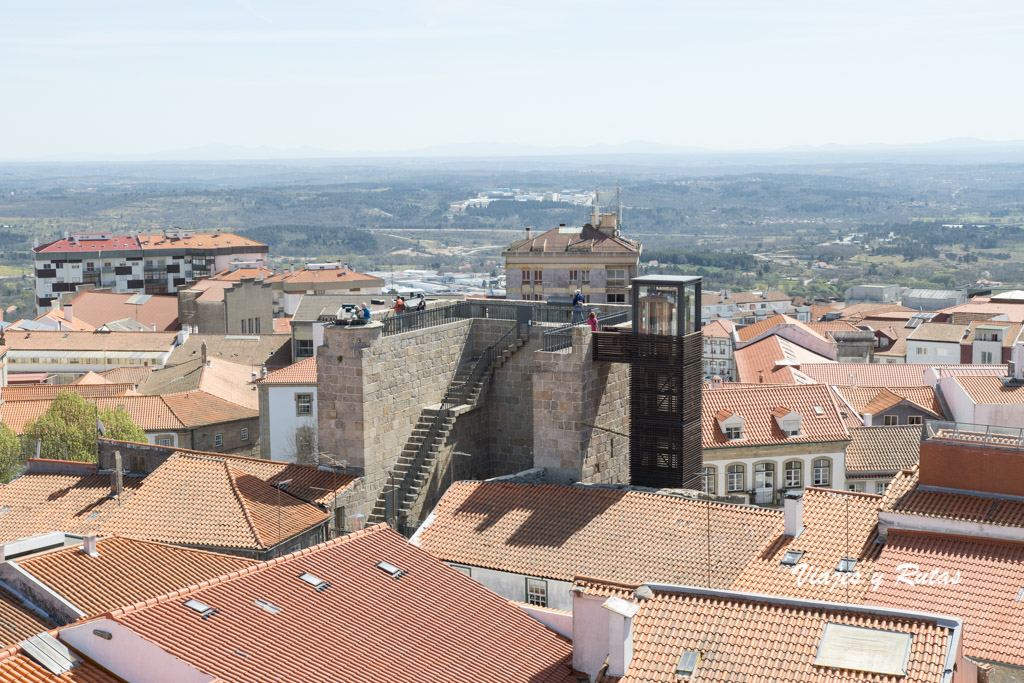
<point>126,571</point>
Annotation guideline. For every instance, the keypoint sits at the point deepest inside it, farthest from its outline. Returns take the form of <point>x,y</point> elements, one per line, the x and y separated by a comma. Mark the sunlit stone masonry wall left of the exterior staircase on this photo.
<point>370,400</point>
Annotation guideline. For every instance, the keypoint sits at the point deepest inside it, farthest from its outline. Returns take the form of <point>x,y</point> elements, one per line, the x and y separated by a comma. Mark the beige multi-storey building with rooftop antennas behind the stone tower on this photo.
<point>551,267</point>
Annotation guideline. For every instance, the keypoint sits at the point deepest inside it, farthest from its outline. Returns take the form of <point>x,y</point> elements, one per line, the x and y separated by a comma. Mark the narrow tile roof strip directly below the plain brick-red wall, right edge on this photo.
<point>906,497</point>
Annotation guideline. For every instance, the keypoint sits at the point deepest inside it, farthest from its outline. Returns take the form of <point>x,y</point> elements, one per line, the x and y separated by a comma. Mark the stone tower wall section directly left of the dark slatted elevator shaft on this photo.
<point>576,402</point>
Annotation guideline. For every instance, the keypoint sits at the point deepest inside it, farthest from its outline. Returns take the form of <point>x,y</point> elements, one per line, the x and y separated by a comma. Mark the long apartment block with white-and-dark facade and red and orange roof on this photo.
<point>138,264</point>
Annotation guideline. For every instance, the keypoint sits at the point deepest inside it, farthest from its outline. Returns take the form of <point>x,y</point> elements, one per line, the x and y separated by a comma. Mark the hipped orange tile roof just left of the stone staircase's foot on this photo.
<point>208,502</point>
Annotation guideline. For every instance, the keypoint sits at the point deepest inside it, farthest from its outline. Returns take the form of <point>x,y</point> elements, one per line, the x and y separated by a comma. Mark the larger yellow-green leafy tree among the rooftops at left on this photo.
<point>68,431</point>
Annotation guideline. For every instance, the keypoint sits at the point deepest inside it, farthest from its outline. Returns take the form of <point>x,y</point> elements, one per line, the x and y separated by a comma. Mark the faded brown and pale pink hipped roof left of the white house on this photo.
<point>221,378</point>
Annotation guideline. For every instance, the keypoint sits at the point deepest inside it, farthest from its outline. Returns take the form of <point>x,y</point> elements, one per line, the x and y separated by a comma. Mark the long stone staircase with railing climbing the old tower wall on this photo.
<point>431,435</point>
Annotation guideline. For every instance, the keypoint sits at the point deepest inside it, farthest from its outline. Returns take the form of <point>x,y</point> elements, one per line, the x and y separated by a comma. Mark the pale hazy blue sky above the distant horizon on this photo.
<point>112,79</point>
